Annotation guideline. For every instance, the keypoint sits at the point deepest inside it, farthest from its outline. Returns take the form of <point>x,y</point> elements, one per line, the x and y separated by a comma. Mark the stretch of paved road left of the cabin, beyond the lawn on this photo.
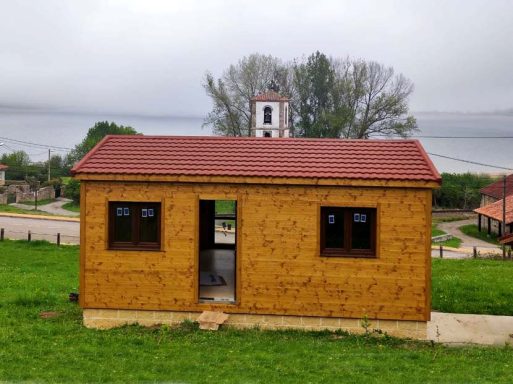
<point>41,229</point>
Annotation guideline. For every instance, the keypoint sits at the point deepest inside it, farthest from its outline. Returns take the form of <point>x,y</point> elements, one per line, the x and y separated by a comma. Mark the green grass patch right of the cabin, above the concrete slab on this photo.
<point>473,286</point>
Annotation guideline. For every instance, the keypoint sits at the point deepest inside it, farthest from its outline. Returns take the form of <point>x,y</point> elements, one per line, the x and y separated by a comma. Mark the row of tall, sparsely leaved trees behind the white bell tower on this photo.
<point>329,97</point>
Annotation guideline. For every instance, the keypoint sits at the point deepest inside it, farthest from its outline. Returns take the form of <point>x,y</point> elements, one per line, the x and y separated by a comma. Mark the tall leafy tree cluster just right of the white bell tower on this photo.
<point>350,99</point>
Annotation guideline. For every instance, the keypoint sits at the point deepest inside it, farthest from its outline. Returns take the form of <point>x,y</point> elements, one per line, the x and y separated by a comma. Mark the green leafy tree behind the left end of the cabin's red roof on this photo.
<point>94,136</point>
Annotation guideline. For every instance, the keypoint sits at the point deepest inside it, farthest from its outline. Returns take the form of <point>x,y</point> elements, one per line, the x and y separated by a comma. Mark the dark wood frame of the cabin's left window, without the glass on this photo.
<point>136,209</point>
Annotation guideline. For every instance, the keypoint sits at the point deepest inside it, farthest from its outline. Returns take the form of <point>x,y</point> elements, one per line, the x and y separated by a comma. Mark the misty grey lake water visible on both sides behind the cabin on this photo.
<point>66,130</point>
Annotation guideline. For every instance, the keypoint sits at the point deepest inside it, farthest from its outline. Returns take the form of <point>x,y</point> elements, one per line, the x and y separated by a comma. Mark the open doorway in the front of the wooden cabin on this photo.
<point>217,250</point>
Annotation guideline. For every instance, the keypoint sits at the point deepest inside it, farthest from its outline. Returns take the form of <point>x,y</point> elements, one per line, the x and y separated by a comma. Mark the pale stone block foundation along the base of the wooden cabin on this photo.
<point>111,318</point>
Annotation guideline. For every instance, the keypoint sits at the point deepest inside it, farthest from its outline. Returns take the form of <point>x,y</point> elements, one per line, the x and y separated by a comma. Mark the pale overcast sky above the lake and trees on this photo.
<point>149,57</point>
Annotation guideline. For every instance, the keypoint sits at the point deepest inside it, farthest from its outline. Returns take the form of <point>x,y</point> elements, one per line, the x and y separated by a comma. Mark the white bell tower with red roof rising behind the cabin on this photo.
<point>270,115</point>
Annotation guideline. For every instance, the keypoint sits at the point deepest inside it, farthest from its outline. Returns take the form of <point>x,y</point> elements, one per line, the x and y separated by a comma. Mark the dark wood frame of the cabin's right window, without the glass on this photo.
<point>347,250</point>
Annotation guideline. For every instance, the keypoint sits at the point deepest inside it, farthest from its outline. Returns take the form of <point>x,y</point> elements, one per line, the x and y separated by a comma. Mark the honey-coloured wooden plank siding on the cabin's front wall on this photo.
<point>279,269</point>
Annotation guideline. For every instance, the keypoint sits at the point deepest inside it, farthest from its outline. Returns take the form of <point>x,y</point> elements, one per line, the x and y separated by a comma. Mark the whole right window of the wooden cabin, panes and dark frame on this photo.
<point>349,232</point>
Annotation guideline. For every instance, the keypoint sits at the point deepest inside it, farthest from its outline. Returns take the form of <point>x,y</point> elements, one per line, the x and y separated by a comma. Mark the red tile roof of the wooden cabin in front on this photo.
<point>262,157</point>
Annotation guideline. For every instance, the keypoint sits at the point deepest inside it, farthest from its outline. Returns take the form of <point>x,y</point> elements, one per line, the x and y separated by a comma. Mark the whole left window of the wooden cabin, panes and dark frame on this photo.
<point>134,225</point>
